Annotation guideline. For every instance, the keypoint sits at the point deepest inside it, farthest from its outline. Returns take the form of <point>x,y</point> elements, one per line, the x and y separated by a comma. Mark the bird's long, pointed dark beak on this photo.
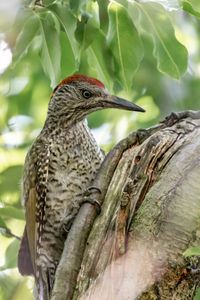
<point>117,102</point>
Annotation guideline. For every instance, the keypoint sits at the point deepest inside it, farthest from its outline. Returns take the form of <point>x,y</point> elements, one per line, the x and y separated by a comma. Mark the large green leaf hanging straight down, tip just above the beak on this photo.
<point>124,43</point>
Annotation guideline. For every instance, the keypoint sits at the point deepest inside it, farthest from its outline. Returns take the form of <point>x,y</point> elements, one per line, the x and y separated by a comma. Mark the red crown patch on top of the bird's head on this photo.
<point>80,78</point>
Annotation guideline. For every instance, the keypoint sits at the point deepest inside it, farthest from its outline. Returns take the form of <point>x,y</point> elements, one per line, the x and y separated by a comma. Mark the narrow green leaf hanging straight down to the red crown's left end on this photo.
<point>50,52</point>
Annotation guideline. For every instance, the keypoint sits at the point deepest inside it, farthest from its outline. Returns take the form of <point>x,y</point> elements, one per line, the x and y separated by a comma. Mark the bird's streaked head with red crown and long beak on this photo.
<point>78,95</point>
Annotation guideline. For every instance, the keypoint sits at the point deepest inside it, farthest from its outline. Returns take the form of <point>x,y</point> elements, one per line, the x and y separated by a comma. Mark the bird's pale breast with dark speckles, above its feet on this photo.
<point>72,168</point>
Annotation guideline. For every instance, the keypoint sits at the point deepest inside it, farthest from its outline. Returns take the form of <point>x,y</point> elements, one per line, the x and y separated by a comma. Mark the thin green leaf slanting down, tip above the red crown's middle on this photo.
<point>68,23</point>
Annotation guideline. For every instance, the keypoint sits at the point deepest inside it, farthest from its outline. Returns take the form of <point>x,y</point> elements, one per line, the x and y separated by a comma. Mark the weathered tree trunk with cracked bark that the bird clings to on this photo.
<point>150,196</point>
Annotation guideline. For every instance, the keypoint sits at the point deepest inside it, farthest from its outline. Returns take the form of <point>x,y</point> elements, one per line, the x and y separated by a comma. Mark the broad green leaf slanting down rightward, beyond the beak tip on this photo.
<point>153,20</point>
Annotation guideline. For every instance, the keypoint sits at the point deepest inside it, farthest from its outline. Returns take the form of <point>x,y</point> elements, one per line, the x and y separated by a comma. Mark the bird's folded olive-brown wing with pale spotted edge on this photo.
<point>36,176</point>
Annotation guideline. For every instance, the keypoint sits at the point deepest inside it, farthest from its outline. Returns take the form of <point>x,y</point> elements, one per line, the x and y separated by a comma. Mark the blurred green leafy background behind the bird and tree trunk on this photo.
<point>139,49</point>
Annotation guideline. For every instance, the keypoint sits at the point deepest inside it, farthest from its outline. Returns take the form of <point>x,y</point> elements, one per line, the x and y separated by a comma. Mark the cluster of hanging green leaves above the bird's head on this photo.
<point>105,39</point>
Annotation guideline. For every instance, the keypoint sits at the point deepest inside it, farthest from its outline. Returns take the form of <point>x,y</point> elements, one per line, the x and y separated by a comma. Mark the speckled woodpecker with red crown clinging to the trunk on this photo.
<point>60,165</point>
